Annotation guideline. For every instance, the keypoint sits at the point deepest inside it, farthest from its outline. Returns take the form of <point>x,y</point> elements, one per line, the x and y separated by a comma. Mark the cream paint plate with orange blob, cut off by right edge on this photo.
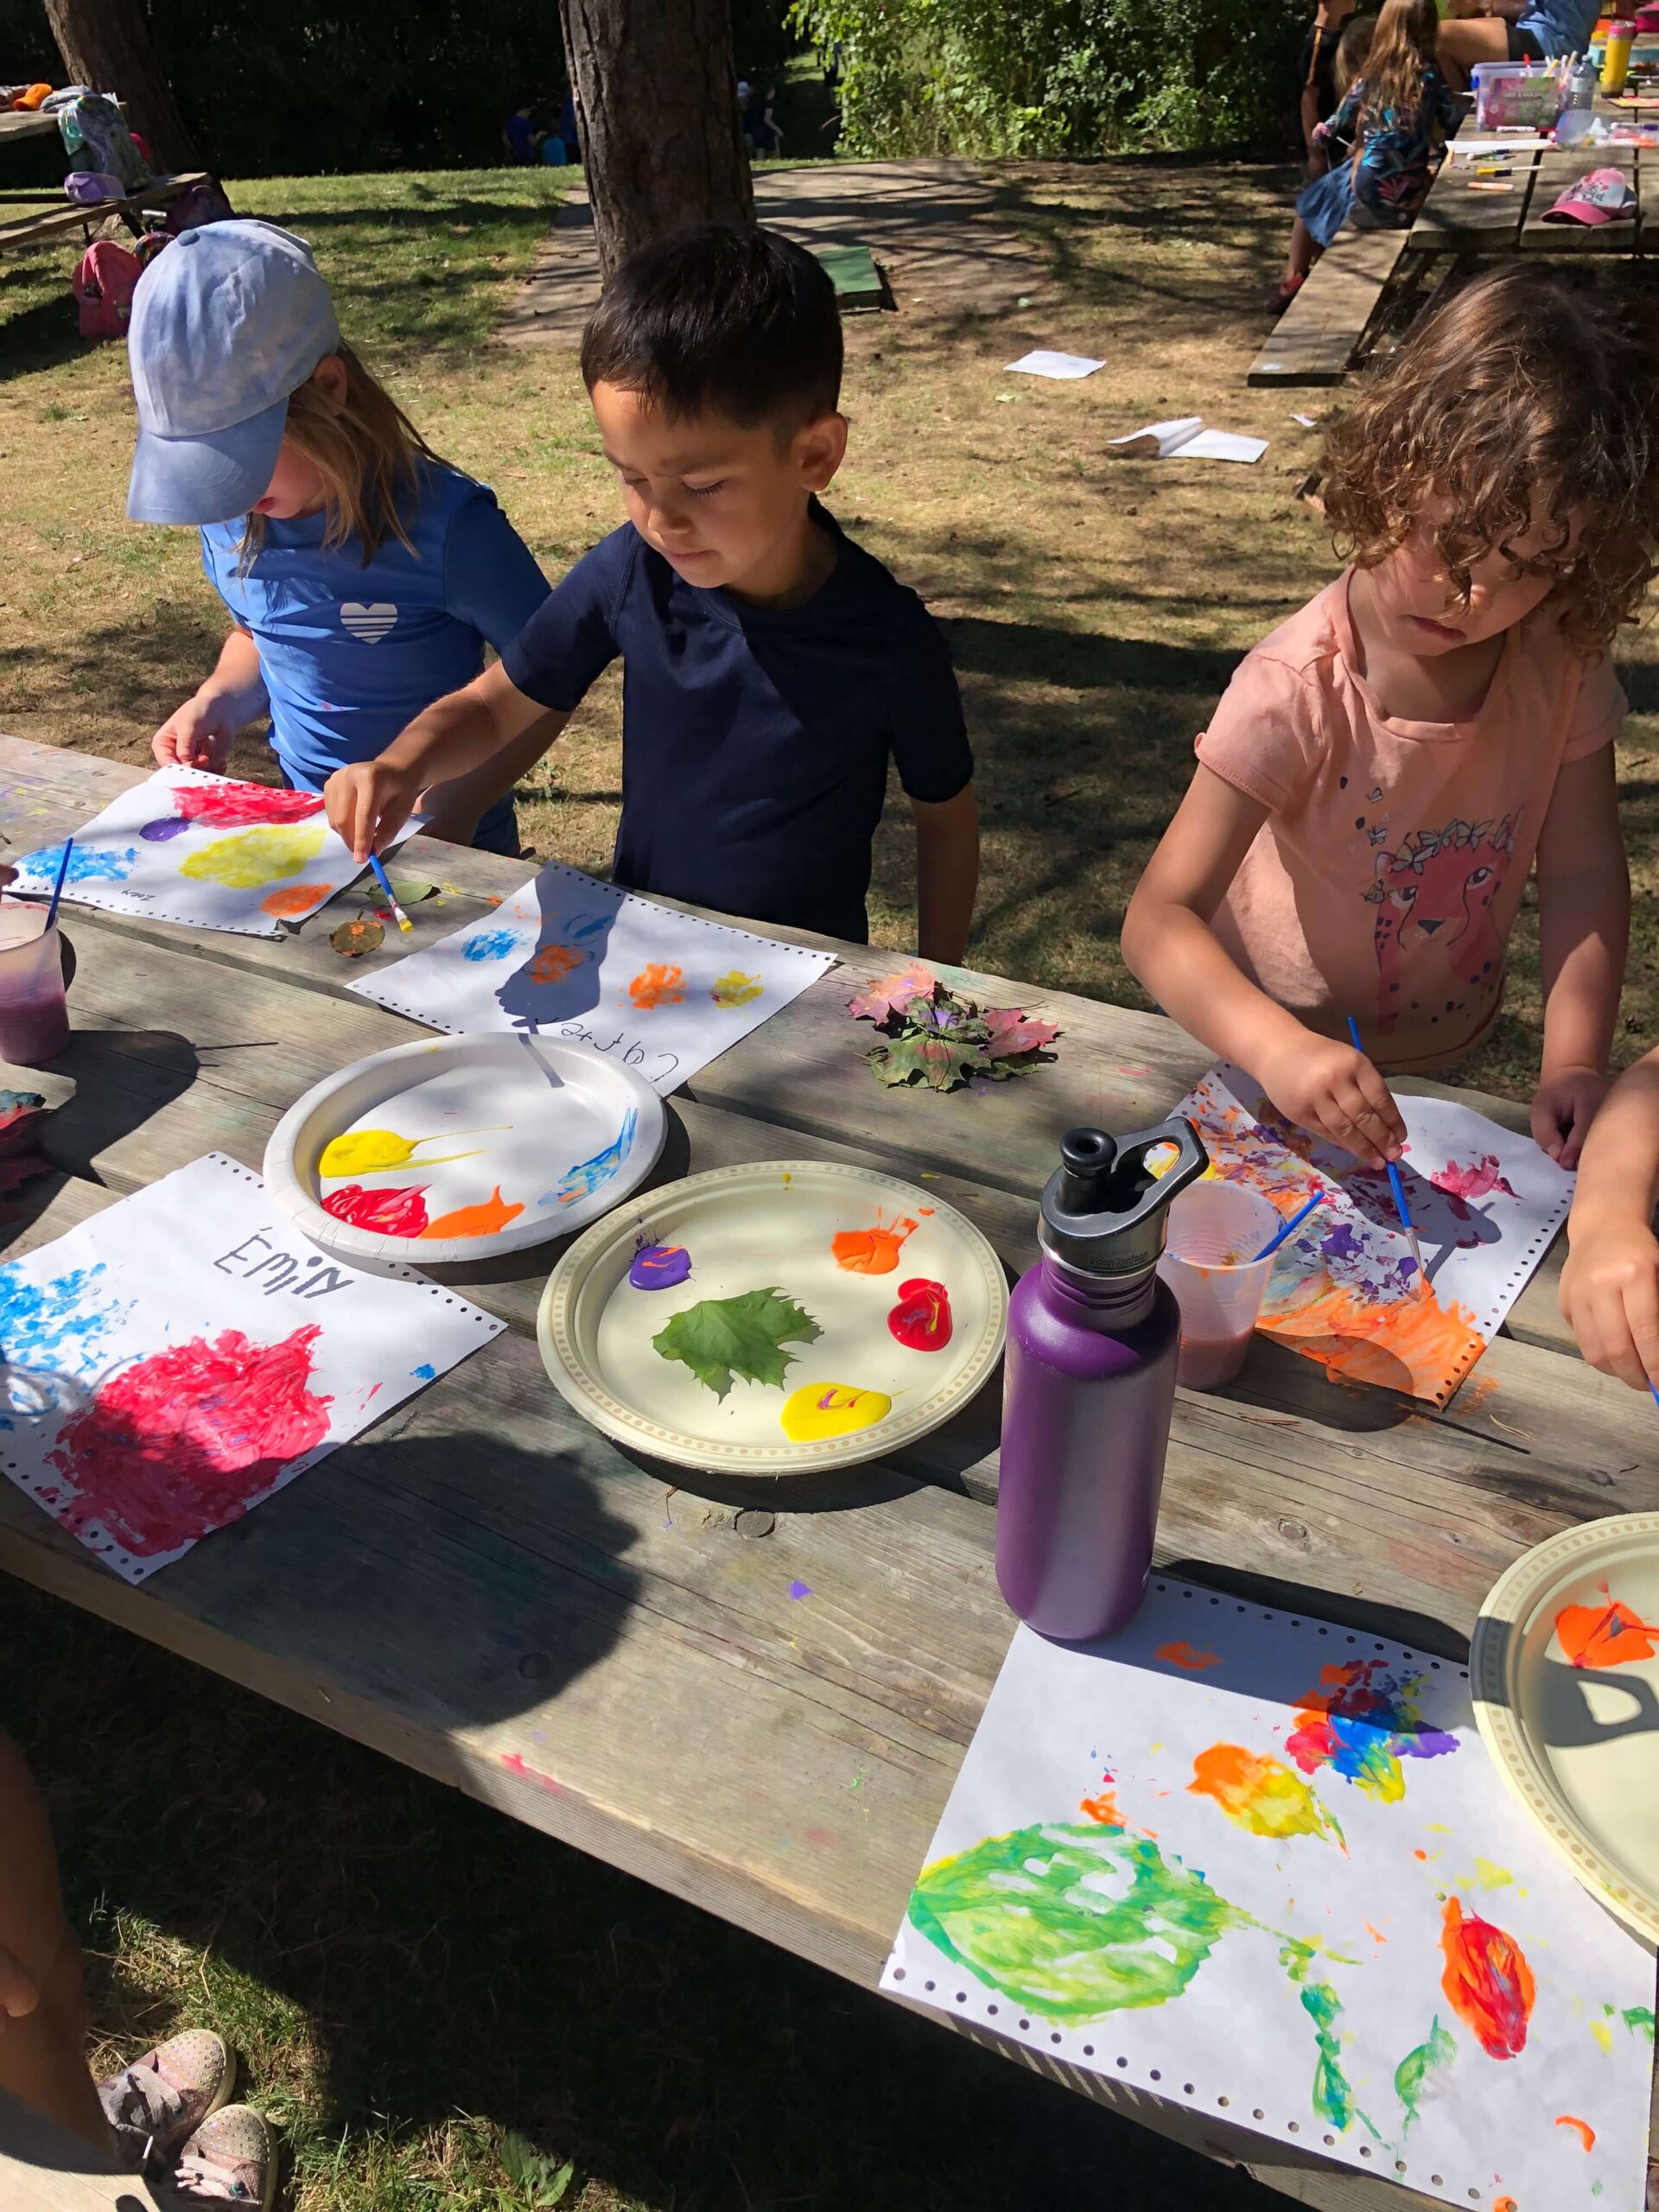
<point>1565,1669</point>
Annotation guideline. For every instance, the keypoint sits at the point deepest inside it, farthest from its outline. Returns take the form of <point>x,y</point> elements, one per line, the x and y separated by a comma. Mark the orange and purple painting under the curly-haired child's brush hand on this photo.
<point>1346,1288</point>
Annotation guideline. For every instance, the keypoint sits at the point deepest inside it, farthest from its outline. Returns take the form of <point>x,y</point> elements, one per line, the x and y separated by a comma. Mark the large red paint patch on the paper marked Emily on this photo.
<point>189,1439</point>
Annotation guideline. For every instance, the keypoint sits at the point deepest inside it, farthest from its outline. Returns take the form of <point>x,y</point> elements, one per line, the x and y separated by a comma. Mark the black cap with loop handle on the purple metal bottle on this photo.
<point>1103,1209</point>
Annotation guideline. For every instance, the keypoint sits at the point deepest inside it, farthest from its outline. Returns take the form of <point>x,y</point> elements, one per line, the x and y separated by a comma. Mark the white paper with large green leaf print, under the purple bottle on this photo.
<point>1262,1866</point>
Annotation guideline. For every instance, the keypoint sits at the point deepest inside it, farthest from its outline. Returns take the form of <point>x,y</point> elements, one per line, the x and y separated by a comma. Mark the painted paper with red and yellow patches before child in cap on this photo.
<point>202,851</point>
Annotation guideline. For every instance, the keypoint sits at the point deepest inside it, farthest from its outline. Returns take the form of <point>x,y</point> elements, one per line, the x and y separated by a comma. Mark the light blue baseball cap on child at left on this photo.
<point>227,324</point>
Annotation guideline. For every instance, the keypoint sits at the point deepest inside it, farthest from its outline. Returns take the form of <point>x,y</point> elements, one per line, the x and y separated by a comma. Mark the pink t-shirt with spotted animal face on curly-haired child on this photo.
<point>1390,868</point>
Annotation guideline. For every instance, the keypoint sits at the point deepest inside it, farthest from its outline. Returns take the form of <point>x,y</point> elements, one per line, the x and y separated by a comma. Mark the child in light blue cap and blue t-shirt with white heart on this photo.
<point>364,574</point>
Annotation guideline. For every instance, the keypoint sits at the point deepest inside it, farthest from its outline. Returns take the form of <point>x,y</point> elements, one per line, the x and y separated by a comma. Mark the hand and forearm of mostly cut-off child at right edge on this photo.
<point>1611,1277</point>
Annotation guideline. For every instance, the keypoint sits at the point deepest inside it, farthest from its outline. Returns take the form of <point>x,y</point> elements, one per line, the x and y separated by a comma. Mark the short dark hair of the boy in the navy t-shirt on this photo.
<point>720,320</point>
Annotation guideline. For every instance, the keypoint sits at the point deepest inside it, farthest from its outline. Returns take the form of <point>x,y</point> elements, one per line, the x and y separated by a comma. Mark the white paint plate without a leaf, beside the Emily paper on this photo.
<point>457,1149</point>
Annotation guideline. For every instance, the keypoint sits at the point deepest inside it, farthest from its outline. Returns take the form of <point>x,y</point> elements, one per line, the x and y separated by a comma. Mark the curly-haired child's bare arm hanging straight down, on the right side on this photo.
<point>1585,928</point>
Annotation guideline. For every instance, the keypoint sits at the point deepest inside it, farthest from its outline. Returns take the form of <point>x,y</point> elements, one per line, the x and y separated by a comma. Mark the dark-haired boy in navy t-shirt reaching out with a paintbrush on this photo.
<point>771,665</point>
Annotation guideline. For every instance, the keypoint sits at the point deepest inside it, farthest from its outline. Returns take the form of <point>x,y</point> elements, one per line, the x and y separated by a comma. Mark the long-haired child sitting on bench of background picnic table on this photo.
<point>1381,138</point>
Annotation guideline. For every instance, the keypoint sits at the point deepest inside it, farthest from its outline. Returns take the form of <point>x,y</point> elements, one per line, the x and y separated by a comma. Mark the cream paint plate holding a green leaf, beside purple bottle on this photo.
<point>904,1297</point>
